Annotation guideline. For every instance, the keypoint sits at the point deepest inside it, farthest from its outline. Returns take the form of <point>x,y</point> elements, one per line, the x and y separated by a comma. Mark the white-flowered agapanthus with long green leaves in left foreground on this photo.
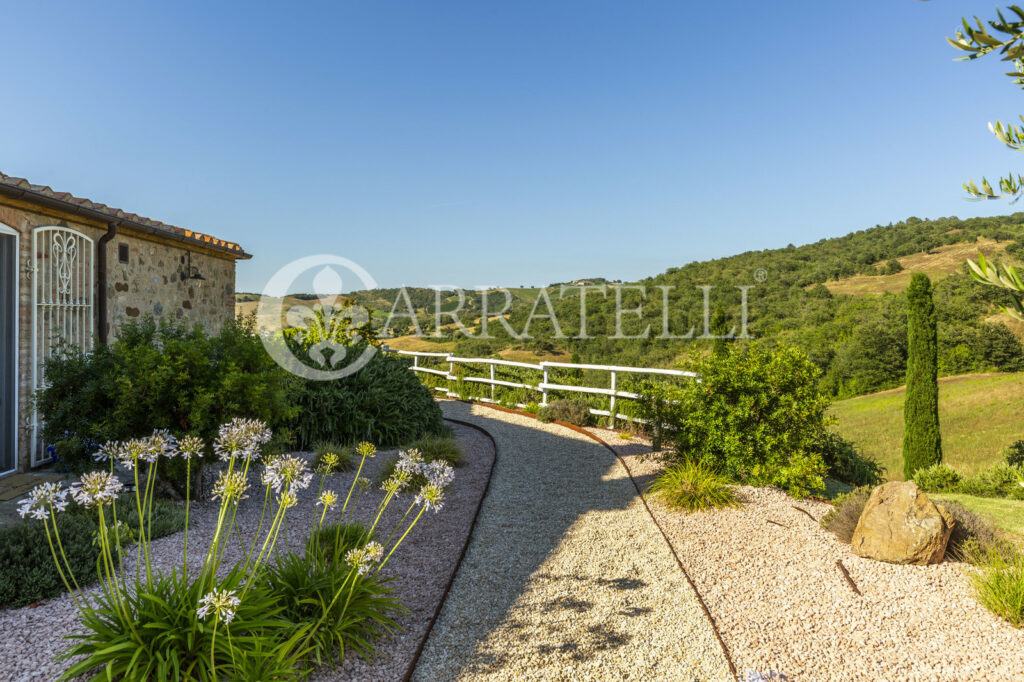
<point>265,616</point>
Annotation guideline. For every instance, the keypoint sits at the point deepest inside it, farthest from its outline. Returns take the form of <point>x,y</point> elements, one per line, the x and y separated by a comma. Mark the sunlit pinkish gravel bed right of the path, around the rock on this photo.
<point>783,605</point>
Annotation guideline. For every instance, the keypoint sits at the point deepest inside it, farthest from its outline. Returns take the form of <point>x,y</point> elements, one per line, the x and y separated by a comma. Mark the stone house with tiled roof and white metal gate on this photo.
<point>73,272</point>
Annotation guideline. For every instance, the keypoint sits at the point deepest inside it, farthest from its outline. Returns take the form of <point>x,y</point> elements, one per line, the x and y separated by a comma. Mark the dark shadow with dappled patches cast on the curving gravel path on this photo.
<point>516,534</point>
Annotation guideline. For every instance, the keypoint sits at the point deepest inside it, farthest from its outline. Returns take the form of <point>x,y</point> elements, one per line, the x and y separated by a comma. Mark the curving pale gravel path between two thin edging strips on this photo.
<point>566,577</point>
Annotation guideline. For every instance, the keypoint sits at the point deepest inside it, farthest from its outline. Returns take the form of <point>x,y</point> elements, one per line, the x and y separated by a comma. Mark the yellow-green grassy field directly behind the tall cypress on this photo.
<point>978,415</point>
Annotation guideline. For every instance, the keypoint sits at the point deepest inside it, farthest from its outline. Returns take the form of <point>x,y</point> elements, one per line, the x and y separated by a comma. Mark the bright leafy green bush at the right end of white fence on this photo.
<point>756,416</point>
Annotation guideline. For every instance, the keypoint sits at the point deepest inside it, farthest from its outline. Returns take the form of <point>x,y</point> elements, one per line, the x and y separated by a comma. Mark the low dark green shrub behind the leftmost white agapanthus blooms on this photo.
<point>28,573</point>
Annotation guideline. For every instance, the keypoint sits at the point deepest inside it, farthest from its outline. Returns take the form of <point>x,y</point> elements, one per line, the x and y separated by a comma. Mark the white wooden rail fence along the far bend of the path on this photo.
<point>544,387</point>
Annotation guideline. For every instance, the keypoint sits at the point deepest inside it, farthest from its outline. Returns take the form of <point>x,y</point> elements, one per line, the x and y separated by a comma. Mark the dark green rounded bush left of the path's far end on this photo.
<point>383,403</point>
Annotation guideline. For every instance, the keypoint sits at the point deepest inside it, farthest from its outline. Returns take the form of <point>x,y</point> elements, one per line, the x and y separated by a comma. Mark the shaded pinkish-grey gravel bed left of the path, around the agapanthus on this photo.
<point>30,638</point>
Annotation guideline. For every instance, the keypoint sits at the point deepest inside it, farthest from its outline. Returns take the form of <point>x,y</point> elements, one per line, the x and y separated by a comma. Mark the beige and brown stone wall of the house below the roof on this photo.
<point>150,283</point>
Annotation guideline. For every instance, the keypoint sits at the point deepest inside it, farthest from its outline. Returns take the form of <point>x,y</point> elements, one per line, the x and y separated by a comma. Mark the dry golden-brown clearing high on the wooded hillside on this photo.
<point>937,264</point>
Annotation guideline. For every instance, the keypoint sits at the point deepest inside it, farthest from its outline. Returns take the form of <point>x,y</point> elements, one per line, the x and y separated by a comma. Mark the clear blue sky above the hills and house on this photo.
<point>505,144</point>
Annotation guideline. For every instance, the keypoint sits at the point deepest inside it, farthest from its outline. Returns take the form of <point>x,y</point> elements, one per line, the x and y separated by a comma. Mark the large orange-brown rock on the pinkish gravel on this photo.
<point>901,525</point>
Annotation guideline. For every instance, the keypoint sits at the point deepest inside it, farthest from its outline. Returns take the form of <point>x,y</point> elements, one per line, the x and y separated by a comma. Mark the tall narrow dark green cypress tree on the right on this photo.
<point>922,442</point>
